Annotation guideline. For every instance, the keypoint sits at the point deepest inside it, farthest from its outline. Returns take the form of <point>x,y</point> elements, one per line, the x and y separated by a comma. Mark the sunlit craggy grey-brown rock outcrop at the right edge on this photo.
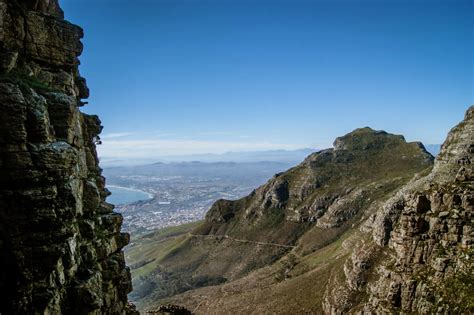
<point>420,257</point>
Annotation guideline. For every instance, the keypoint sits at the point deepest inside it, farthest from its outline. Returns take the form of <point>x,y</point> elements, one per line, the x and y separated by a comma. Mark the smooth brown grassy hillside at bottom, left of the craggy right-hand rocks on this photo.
<point>295,284</point>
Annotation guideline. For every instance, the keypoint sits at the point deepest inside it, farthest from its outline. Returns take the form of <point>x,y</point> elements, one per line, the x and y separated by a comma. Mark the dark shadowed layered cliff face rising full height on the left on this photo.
<point>60,242</point>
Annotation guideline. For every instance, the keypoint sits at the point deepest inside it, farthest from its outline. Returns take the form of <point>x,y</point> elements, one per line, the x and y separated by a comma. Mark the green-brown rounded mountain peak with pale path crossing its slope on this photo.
<point>301,210</point>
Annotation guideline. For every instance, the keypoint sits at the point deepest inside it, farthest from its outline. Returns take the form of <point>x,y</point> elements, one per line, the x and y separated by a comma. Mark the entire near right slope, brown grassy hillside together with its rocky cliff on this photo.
<point>411,253</point>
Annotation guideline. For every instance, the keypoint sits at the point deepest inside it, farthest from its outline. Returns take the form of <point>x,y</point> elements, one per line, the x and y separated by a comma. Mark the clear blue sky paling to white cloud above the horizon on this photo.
<point>181,77</point>
